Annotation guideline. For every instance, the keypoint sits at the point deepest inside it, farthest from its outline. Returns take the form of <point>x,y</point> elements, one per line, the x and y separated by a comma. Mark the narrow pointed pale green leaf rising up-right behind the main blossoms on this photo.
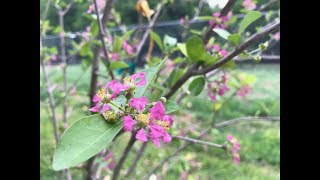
<point>151,74</point>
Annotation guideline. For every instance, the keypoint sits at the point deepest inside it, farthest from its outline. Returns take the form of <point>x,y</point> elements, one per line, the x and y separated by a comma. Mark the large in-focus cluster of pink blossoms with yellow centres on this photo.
<point>152,123</point>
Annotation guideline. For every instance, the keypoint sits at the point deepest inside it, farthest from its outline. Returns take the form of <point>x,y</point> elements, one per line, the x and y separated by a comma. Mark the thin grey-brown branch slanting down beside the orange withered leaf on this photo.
<point>146,33</point>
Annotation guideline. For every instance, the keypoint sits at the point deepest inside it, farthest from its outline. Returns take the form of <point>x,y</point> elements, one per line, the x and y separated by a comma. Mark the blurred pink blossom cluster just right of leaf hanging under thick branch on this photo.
<point>219,88</point>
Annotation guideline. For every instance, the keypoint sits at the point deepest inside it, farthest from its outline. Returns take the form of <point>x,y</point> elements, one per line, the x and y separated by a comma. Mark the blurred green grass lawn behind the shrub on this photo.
<point>260,141</point>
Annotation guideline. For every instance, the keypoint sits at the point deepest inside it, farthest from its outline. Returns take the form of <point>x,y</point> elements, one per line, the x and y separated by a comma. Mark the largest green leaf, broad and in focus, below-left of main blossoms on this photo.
<point>83,139</point>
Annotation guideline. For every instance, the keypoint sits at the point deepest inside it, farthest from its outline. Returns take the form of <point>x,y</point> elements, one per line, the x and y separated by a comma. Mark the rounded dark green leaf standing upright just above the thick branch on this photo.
<point>195,48</point>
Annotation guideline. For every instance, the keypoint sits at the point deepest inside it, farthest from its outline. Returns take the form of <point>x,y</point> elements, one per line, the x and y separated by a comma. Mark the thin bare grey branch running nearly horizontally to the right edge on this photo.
<point>246,119</point>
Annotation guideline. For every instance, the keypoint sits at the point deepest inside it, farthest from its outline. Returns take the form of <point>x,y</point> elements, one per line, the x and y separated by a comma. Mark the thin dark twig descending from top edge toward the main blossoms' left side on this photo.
<point>101,35</point>
